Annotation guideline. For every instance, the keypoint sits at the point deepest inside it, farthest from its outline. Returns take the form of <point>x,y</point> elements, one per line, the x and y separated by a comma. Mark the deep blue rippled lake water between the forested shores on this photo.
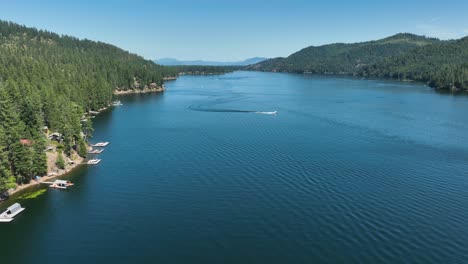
<point>348,171</point>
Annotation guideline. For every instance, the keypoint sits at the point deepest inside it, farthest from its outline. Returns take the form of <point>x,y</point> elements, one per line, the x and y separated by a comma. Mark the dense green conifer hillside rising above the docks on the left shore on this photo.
<point>52,80</point>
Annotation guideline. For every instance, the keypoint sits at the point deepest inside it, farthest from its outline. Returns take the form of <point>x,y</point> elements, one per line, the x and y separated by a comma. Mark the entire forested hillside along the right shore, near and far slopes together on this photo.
<point>442,64</point>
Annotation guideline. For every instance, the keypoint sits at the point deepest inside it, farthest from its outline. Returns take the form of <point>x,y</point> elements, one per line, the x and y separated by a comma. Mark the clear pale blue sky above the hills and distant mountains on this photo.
<point>235,30</point>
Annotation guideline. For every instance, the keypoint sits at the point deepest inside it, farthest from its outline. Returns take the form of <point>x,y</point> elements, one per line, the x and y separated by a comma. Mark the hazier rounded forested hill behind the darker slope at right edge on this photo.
<point>343,58</point>
